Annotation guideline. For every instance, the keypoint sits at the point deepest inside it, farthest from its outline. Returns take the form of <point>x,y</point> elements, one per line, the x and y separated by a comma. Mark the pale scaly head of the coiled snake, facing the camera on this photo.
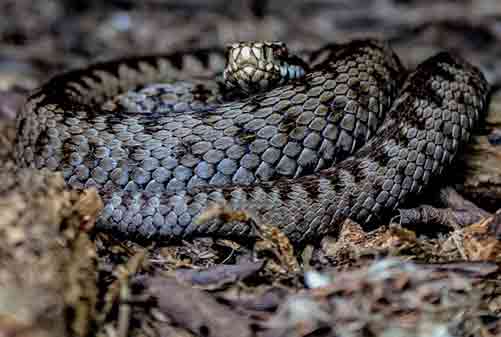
<point>253,67</point>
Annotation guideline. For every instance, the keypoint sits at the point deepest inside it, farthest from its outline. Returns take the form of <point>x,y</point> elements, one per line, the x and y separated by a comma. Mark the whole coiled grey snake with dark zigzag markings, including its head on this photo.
<point>300,144</point>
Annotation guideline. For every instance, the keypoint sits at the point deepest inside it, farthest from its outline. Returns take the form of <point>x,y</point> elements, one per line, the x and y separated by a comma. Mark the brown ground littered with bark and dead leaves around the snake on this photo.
<point>437,279</point>
